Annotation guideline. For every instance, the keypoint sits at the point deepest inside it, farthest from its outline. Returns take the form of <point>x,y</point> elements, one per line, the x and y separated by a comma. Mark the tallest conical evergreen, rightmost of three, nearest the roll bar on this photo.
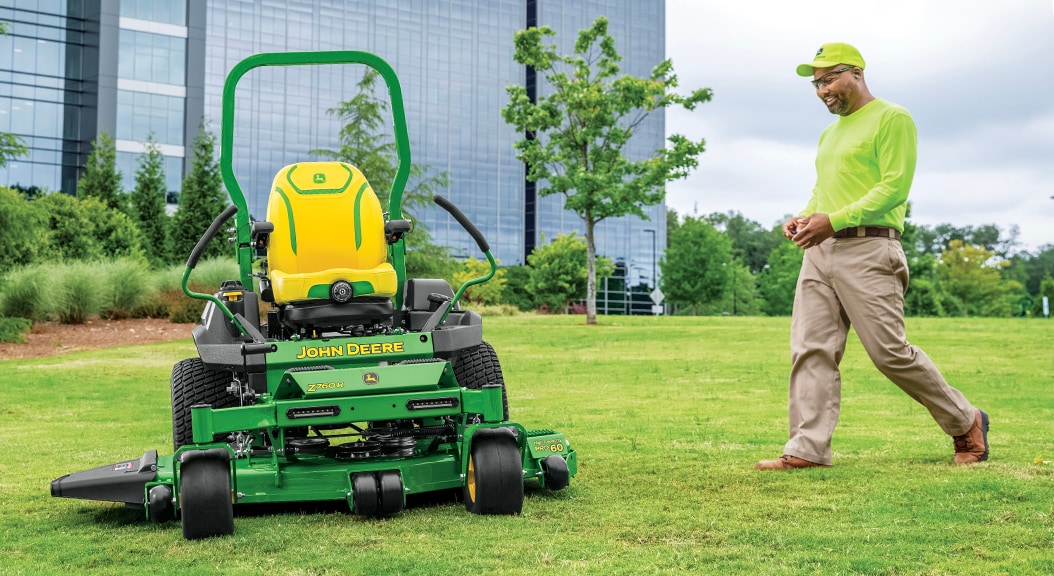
<point>203,199</point>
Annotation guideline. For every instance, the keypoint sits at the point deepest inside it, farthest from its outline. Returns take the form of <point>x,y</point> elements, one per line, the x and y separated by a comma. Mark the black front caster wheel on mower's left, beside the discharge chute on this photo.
<point>205,498</point>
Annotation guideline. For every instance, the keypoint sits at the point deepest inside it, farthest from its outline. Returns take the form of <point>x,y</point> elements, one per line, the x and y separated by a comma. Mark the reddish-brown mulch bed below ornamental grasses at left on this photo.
<point>53,338</point>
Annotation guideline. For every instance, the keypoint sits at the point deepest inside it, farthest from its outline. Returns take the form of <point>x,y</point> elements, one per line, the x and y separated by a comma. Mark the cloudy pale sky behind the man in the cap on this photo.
<point>977,75</point>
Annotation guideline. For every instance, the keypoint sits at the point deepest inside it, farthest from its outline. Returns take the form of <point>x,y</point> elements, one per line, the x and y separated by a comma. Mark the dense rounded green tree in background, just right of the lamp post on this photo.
<point>695,268</point>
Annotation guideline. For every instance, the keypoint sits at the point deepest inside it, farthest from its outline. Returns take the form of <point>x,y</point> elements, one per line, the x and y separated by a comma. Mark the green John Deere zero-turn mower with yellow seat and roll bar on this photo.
<point>356,385</point>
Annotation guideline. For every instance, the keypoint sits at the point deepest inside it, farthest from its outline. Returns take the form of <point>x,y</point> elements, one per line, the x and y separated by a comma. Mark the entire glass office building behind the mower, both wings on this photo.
<point>162,67</point>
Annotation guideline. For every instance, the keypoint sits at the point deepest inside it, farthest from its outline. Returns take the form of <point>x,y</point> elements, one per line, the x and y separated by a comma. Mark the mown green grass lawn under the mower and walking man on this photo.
<point>669,416</point>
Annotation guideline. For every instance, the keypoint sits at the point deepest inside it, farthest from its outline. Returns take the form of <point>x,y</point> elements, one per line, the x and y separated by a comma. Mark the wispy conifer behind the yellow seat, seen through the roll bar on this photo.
<point>367,143</point>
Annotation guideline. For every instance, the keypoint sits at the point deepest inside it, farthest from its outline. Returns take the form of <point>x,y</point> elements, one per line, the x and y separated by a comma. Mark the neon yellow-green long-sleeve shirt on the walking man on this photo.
<point>865,166</point>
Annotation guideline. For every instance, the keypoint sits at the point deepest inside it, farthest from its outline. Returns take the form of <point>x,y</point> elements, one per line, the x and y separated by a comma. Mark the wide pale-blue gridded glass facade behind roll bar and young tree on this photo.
<point>455,62</point>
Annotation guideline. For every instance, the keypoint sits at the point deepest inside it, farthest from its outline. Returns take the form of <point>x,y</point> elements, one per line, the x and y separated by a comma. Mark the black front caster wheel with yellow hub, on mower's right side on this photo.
<point>495,484</point>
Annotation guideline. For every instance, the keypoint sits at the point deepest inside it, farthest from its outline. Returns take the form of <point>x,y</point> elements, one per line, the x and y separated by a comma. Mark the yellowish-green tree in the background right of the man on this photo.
<point>971,275</point>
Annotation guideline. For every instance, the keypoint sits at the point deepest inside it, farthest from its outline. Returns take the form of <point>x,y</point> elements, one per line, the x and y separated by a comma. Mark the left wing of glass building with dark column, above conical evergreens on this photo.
<point>71,70</point>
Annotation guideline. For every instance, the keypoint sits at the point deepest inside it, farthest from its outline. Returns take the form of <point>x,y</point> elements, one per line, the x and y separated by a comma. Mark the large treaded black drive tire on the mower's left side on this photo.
<point>193,385</point>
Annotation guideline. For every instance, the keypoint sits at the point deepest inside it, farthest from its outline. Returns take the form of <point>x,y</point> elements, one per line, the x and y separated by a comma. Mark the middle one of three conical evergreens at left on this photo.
<point>148,204</point>
